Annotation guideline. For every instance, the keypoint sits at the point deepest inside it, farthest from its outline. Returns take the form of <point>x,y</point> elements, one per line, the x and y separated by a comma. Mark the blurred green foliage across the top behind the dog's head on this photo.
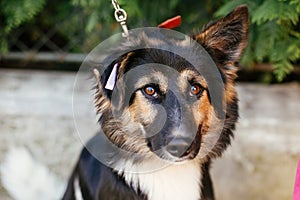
<point>274,31</point>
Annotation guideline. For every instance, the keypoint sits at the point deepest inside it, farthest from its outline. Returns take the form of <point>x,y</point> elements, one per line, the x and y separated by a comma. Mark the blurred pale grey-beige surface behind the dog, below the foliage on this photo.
<point>36,112</point>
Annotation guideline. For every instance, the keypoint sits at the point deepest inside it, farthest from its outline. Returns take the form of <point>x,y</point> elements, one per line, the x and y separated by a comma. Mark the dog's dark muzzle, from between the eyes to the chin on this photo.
<point>178,137</point>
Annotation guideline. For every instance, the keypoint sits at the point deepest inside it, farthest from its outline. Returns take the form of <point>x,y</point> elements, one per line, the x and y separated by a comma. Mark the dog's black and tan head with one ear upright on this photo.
<point>156,102</point>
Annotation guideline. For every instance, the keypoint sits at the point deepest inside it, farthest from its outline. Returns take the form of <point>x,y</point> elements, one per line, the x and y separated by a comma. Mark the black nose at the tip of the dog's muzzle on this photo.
<point>178,147</point>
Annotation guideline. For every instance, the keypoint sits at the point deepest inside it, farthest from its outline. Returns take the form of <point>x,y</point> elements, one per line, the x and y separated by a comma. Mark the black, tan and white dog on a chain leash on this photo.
<point>165,123</point>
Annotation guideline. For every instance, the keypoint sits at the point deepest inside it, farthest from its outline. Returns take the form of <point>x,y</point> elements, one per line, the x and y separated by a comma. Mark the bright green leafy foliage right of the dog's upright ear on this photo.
<point>274,33</point>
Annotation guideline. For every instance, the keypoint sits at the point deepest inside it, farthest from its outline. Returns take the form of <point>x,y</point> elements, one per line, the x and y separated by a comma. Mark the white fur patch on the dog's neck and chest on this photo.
<point>175,181</point>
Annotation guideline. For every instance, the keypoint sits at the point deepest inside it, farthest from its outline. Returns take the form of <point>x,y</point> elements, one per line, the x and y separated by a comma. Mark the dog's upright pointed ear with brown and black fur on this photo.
<point>226,39</point>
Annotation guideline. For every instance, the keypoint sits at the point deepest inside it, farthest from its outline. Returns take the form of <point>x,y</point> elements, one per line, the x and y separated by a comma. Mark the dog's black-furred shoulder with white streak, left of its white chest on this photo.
<point>91,179</point>
